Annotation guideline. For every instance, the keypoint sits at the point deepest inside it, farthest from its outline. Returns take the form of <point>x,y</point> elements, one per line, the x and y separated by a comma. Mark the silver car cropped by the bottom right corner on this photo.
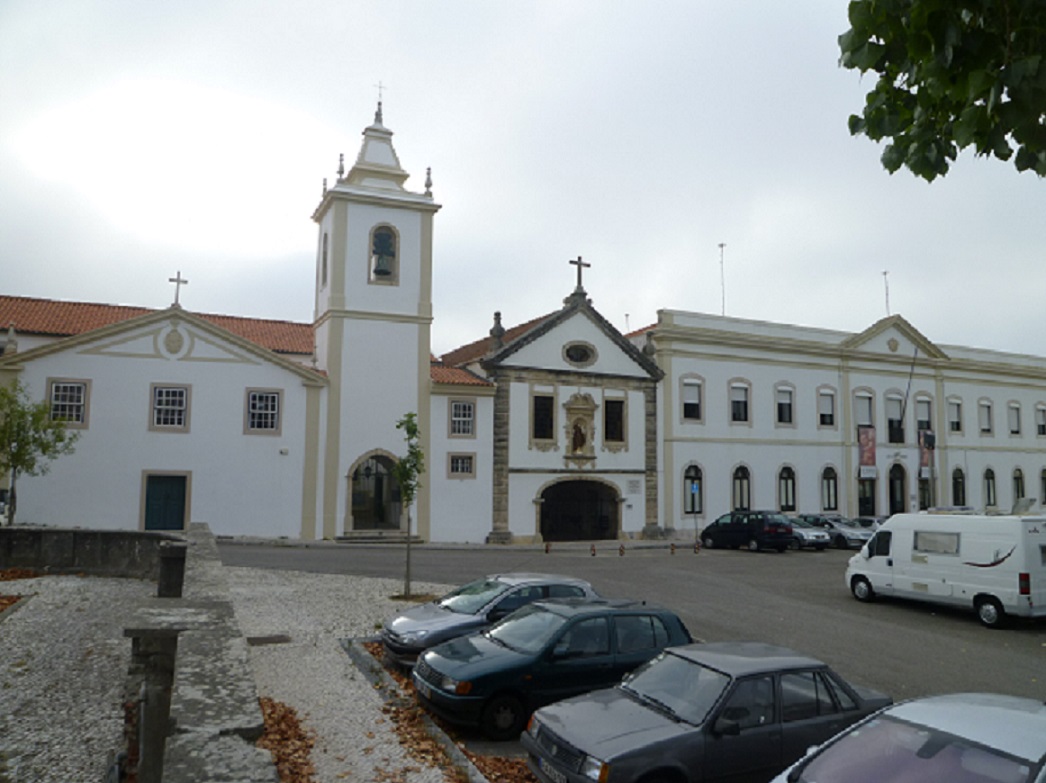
<point>958,739</point>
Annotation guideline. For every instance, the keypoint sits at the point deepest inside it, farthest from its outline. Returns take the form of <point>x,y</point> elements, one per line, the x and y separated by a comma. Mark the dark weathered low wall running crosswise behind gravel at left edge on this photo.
<point>94,552</point>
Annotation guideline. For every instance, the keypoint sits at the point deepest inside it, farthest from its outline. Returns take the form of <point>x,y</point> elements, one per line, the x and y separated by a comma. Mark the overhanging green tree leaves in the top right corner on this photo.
<point>952,75</point>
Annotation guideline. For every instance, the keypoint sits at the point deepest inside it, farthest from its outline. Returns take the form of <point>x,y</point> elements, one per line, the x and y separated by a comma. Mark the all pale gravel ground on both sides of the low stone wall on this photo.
<point>63,660</point>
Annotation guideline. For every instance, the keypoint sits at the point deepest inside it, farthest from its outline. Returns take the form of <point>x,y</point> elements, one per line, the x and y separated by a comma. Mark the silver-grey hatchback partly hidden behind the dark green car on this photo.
<point>472,608</point>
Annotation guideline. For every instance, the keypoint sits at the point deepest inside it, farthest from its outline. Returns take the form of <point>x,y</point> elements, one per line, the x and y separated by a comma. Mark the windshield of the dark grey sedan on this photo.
<point>685,688</point>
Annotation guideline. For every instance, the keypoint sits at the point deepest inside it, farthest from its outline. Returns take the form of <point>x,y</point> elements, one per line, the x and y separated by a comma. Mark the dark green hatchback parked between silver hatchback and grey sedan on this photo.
<point>547,652</point>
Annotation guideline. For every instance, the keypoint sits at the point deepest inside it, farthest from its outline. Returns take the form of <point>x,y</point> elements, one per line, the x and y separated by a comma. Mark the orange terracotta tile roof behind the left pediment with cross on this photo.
<point>53,318</point>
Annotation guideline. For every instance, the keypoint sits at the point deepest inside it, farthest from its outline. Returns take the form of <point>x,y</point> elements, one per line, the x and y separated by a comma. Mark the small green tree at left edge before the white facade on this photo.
<point>29,439</point>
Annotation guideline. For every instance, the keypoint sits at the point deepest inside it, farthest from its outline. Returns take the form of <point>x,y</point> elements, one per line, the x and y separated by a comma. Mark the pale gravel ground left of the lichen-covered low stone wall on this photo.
<point>63,661</point>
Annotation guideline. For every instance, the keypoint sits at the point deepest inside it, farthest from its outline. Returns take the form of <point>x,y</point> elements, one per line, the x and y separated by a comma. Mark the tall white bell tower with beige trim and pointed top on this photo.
<point>373,323</point>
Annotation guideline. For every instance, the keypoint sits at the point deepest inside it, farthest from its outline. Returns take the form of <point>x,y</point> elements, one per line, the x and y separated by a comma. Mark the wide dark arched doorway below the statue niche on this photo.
<point>578,512</point>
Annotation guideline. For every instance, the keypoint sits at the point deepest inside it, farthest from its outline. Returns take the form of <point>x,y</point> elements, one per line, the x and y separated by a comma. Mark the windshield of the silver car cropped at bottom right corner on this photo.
<point>889,750</point>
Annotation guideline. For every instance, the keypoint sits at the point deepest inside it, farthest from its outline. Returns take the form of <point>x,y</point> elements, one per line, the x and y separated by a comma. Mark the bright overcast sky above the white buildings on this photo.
<point>141,139</point>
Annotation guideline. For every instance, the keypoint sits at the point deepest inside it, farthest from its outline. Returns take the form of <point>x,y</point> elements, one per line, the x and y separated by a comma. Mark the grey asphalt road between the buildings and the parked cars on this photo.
<point>797,600</point>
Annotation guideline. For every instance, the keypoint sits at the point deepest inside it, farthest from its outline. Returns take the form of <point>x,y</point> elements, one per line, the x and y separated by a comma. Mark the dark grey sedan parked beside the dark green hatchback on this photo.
<point>704,712</point>
